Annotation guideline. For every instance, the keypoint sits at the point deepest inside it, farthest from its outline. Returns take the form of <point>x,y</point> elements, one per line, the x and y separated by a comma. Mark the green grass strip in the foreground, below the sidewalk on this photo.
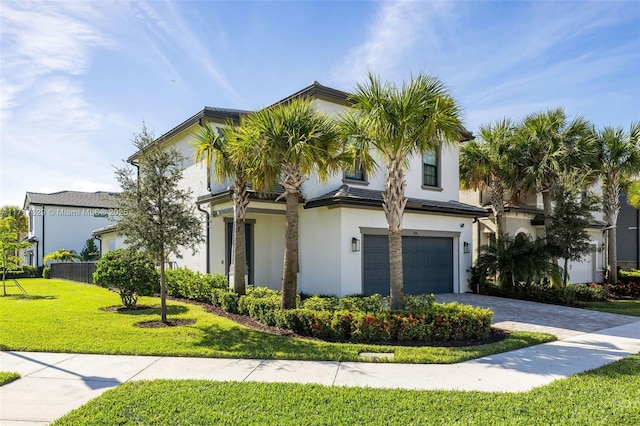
<point>606,396</point>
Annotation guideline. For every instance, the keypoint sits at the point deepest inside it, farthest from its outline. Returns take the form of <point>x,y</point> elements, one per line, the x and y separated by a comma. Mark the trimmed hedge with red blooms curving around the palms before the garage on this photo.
<point>366,321</point>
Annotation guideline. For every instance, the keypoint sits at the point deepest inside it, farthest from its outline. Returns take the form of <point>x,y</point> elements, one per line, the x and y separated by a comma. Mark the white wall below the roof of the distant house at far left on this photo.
<point>58,227</point>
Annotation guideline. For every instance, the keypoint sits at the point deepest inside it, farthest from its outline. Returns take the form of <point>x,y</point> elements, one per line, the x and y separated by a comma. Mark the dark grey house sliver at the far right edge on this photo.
<point>628,235</point>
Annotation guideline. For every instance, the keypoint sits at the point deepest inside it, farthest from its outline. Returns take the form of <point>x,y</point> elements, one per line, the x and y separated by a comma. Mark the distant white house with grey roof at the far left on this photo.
<point>65,219</point>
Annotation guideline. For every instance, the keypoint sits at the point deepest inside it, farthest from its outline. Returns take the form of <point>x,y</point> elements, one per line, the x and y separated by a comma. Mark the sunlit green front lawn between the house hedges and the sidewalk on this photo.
<point>63,316</point>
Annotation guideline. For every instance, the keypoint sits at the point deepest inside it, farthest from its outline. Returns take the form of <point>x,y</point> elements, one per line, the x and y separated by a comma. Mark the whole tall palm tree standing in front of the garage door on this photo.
<point>397,124</point>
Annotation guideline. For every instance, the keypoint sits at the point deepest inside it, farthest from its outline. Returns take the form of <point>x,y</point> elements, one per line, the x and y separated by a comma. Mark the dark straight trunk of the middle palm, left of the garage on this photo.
<point>290,269</point>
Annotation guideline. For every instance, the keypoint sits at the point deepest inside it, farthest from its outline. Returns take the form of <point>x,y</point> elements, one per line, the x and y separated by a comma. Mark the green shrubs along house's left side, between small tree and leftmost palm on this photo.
<point>185,283</point>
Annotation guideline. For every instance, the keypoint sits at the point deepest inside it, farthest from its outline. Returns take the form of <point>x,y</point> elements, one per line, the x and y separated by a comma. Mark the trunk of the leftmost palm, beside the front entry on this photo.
<point>240,202</point>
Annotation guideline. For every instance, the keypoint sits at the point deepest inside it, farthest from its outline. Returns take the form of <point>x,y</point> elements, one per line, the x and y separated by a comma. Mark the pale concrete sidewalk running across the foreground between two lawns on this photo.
<point>53,384</point>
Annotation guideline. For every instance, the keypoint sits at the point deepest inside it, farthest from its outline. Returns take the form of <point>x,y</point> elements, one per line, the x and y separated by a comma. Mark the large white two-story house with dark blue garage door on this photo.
<point>343,243</point>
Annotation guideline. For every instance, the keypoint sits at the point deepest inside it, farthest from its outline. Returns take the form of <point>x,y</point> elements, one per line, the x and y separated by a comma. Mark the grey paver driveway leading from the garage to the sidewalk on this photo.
<point>561,321</point>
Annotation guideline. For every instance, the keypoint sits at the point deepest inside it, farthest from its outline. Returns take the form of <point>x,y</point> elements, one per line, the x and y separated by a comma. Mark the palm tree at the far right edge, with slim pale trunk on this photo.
<point>619,154</point>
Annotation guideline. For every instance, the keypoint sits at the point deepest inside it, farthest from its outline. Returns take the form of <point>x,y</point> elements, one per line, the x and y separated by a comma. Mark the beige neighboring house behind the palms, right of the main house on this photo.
<point>528,217</point>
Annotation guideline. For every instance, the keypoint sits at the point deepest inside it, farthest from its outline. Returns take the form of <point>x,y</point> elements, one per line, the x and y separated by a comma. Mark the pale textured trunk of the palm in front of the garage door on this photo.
<point>393,205</point>
